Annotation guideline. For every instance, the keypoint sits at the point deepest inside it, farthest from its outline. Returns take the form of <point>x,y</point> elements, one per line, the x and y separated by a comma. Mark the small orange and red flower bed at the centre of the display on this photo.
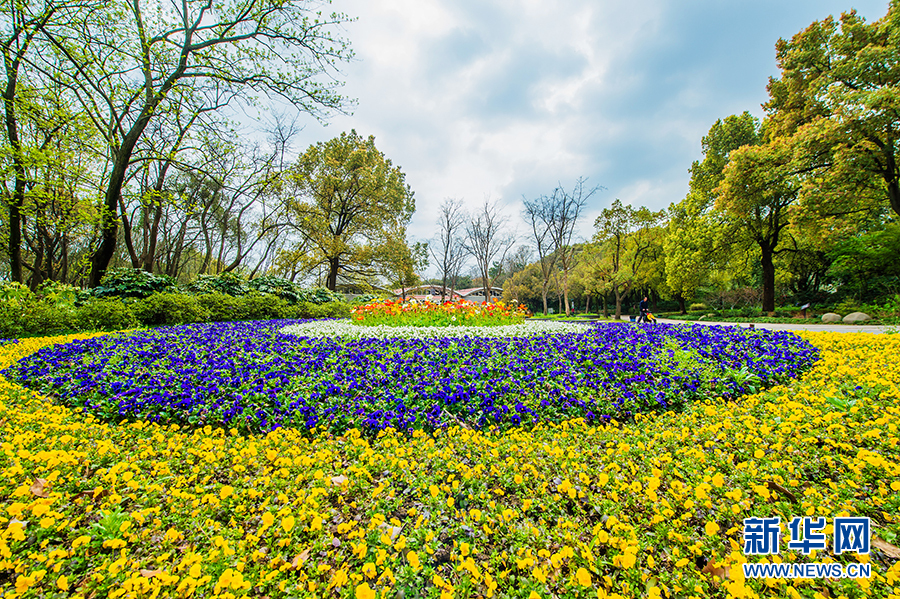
<point>429,314</point>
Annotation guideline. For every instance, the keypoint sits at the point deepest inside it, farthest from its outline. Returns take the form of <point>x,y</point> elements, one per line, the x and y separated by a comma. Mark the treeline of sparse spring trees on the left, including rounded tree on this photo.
<point>118,151</point>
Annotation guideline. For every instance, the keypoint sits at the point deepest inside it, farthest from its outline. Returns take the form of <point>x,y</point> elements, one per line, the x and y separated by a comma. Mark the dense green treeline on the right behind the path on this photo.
<point>799,207</point>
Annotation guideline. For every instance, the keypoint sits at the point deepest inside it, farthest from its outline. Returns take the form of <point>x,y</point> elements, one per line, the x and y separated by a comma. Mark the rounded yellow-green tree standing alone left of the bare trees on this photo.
<point>347,202</point>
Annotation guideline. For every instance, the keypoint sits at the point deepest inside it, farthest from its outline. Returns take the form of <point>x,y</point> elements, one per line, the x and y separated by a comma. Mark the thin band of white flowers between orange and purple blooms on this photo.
<point>347,330</point>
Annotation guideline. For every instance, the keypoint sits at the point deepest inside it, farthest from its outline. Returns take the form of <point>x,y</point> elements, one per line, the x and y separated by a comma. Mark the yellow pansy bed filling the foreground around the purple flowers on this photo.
<point>649,509</point>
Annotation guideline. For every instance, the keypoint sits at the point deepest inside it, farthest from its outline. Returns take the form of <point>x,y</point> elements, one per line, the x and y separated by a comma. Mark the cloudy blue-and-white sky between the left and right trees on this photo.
<point>502,99</point>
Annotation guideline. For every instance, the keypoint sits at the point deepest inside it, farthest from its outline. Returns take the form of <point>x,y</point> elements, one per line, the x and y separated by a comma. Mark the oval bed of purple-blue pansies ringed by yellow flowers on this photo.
<point>250,376</point>
